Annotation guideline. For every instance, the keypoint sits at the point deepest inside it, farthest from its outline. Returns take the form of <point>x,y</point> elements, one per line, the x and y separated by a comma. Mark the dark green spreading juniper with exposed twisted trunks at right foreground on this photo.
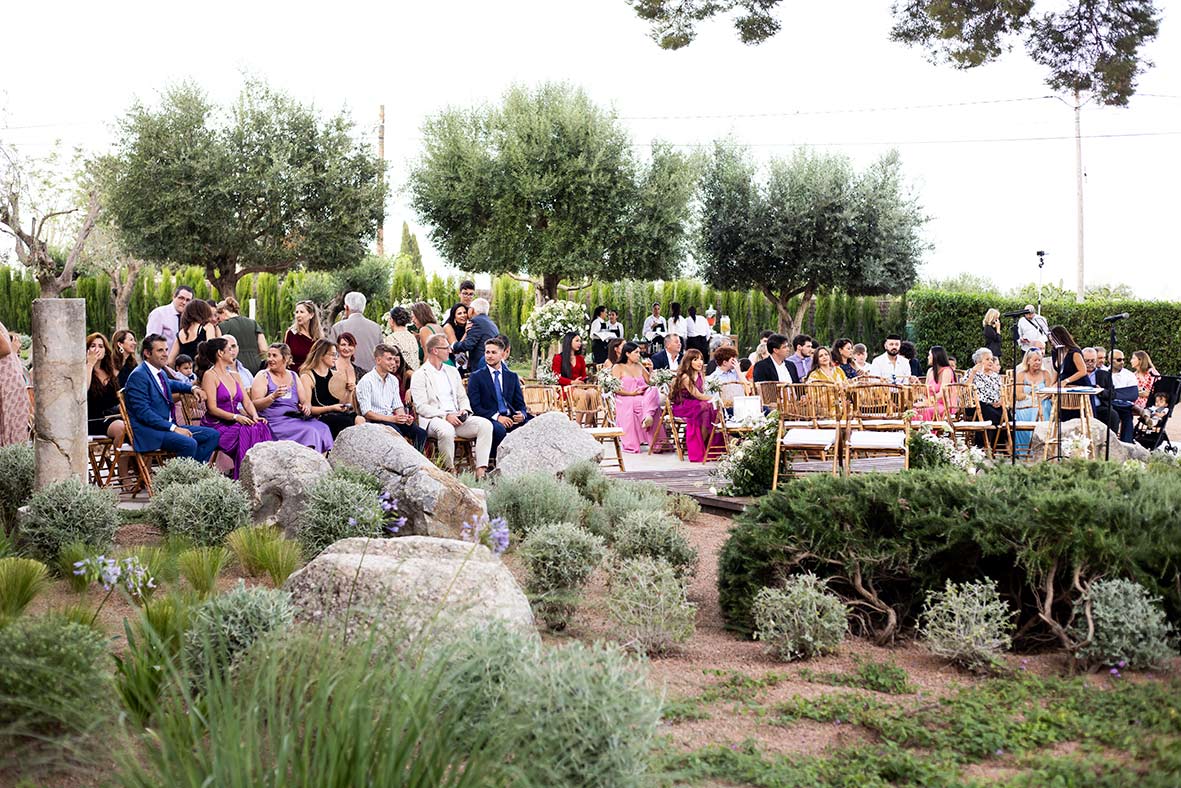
<point>909,533</point>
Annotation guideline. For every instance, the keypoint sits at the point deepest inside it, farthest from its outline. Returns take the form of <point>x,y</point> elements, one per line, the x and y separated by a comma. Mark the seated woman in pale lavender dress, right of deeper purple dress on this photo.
<point>286,403</point>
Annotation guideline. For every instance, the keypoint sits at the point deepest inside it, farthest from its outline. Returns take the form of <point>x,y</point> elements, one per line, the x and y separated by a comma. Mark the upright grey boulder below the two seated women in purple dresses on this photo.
<point>278,476</point>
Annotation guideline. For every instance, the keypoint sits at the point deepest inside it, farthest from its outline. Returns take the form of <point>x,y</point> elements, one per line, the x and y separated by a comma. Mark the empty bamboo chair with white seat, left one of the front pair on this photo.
<point>807,425</point>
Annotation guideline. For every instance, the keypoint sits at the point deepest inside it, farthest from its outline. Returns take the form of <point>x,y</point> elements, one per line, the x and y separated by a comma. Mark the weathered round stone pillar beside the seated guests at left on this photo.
<point>60,387</point>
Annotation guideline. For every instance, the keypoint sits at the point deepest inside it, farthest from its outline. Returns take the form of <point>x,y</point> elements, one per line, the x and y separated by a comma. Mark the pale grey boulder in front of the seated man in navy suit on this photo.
<point>550,444</point>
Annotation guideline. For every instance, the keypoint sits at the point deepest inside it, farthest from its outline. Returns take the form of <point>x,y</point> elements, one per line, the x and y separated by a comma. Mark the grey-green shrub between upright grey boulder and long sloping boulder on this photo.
<point>337,509</point>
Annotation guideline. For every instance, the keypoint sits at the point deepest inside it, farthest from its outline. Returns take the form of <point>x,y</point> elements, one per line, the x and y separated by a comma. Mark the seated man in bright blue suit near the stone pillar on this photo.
<point>148,395</point>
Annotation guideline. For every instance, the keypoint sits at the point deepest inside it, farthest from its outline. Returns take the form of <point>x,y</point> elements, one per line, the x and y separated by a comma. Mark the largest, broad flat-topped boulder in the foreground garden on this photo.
<point>406,584</point>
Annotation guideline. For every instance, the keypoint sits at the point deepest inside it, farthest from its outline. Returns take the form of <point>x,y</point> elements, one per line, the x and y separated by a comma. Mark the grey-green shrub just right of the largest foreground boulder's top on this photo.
<point>559,559</point>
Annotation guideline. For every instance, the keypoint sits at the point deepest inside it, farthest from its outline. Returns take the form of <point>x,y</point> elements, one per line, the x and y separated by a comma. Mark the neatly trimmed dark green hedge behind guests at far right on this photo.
<point>955,322</point>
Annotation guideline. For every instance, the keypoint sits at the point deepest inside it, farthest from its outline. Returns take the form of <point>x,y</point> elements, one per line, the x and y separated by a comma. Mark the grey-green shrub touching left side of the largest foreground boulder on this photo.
<point>226,626</point>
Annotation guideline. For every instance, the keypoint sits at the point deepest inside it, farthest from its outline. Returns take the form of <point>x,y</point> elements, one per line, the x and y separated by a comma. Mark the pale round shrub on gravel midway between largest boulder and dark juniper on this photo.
<point>649,607</point>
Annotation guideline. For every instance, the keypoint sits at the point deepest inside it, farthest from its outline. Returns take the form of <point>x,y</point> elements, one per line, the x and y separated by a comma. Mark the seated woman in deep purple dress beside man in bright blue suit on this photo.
<point>229,411</point>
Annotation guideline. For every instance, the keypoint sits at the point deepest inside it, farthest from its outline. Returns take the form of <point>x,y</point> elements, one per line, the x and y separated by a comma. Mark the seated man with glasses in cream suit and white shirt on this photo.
<point>443,409</point>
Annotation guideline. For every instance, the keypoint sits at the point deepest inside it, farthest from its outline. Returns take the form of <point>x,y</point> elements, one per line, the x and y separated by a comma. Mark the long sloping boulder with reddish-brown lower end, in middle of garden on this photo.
<point>434,503</point>
